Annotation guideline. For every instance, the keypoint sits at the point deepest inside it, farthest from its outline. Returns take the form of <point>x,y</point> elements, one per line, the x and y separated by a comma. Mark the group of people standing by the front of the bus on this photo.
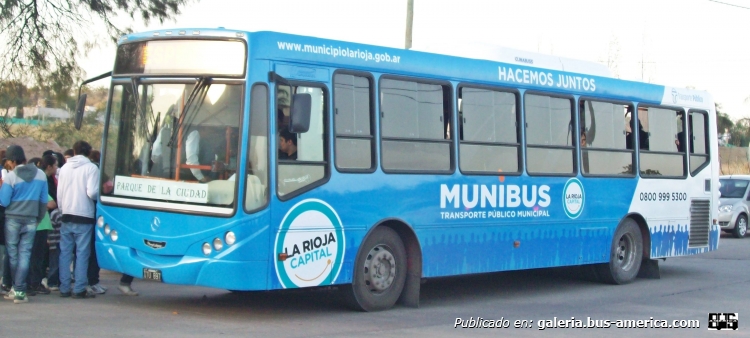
<point>49,206</point>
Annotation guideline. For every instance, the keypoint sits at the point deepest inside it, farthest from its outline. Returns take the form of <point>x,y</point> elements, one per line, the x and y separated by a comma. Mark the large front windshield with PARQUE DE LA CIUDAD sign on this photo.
<point>173,142</point>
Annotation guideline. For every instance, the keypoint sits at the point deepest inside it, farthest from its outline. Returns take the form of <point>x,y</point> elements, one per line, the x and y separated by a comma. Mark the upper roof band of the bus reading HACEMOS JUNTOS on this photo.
<point>482,65</point>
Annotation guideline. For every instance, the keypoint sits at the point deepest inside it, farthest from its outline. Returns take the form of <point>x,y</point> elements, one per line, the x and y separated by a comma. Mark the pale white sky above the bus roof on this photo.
<point>699,44</point>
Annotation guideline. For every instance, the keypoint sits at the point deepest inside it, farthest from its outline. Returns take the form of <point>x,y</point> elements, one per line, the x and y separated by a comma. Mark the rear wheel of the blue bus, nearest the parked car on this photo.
<point>625,255</point>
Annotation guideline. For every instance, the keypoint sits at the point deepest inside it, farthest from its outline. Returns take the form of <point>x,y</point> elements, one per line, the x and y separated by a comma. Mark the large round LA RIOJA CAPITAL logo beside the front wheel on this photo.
<point>312,237</point>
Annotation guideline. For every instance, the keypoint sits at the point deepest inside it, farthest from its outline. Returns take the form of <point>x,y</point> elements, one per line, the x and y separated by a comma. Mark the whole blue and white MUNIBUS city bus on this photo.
<point>260,160</point>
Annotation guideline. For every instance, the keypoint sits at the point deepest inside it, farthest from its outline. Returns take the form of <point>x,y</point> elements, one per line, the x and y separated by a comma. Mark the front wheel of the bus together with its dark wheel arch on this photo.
<point>388,243</point>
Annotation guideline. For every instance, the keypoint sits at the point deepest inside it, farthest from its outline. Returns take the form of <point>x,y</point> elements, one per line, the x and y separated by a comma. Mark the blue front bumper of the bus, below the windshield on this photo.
<point>185,270</point>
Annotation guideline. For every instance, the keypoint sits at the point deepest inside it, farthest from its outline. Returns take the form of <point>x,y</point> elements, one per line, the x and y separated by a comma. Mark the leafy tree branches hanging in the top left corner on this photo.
<point>44,37</point>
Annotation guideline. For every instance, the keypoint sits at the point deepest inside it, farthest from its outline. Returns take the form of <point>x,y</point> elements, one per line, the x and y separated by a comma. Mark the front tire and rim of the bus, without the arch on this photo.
<point>379,271</point>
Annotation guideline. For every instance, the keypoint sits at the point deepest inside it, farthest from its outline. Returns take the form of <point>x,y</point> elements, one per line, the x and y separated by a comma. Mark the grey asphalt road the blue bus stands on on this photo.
<point>689,289</point>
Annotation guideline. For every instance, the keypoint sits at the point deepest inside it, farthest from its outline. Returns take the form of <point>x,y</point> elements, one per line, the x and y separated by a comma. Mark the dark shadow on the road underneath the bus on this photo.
<point>435,292</point>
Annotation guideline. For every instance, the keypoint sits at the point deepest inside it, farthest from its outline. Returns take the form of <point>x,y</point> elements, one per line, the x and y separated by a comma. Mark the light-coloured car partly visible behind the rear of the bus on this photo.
<point>734,204</point>
